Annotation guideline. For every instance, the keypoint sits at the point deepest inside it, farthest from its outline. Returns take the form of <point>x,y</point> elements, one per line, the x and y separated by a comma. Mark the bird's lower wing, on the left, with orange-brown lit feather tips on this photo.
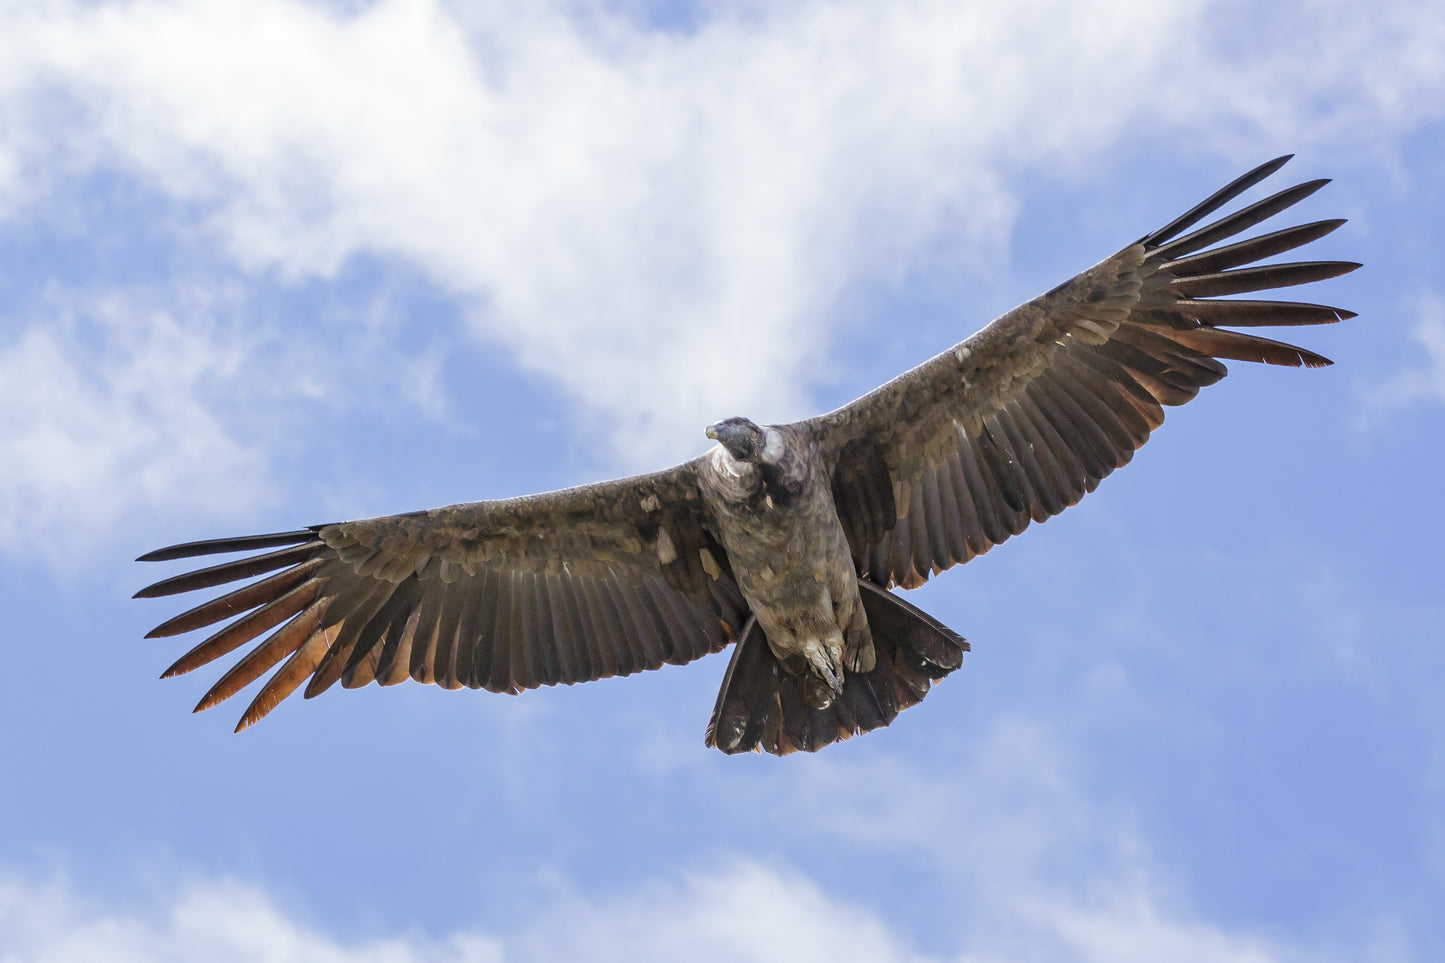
<point>561,588</point>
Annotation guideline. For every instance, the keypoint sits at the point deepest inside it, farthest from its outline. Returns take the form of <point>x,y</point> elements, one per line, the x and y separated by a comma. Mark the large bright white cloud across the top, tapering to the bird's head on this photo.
<point>621,206</point>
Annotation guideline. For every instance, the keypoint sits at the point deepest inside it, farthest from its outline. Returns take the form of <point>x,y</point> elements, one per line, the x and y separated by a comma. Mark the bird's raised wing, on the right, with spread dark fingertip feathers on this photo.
<point>1021,420</point>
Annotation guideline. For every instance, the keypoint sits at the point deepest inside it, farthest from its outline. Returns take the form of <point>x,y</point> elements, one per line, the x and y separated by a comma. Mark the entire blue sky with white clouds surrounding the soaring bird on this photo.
<point>284,264</point>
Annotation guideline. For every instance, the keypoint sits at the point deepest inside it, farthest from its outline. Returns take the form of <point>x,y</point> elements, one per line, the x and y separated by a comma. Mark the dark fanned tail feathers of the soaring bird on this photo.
<point>761,705</point>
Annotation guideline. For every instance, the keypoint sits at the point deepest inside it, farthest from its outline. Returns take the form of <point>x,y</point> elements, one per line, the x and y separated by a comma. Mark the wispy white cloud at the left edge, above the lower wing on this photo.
<point>173,401</point>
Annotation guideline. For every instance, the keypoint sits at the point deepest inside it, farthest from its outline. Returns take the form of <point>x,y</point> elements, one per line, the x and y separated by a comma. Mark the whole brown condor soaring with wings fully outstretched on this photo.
<point>784,542</point>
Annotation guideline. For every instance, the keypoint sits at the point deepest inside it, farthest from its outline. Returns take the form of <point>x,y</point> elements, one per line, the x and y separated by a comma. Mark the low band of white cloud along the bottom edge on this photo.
<point>739,913</point>
